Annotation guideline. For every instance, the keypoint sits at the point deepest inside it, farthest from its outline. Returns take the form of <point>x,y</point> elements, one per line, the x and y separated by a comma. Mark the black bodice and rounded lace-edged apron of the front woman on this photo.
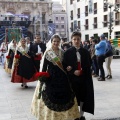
<point>58,95</point>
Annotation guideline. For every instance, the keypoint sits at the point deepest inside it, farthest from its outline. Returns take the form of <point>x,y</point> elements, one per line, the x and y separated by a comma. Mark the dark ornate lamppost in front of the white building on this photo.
<point>111,19</point>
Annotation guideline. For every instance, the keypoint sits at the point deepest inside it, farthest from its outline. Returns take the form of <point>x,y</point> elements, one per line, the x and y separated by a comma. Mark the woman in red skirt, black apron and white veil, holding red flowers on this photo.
<point>23,66</point>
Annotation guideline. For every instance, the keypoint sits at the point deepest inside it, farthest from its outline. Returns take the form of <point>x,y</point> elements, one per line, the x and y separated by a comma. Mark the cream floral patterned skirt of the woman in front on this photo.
<point>42,112</point>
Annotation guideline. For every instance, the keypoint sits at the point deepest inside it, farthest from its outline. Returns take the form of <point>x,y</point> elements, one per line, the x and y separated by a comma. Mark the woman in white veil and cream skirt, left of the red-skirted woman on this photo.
<point>10,56</point>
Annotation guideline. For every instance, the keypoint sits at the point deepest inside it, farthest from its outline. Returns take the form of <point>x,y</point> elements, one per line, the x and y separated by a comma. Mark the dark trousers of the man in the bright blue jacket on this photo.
<point>100,61</point>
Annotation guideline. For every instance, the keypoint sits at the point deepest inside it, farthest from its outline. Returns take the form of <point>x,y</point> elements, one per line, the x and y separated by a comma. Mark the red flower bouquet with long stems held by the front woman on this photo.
<point>42,77</point>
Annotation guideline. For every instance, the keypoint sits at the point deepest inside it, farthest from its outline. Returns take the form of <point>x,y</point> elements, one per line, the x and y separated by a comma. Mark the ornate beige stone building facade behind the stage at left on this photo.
<point>32,14</point>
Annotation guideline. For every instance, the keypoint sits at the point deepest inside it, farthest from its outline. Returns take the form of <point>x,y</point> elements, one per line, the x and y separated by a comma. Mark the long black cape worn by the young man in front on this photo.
<point>82,85</point>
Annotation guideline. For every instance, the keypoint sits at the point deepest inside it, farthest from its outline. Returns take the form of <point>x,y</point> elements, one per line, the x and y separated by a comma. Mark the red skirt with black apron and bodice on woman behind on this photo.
<point>25,70</point>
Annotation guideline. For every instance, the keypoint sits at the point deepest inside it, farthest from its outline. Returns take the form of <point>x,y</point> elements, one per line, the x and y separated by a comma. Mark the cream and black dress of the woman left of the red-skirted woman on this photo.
<point>9,61</point>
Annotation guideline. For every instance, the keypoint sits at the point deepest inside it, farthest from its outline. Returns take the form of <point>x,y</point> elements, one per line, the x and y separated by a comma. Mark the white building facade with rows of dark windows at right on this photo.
<point>92,17</point>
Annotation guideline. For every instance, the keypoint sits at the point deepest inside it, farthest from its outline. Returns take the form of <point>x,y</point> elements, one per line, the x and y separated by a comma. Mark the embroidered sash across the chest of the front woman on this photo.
<point>55,59</point>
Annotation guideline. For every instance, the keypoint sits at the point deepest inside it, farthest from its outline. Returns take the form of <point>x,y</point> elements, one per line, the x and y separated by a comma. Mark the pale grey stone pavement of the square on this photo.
<point>15,101</point>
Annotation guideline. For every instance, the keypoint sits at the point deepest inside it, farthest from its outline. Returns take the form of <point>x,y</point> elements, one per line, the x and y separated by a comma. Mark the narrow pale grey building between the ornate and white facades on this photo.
<point>60,19</point>
